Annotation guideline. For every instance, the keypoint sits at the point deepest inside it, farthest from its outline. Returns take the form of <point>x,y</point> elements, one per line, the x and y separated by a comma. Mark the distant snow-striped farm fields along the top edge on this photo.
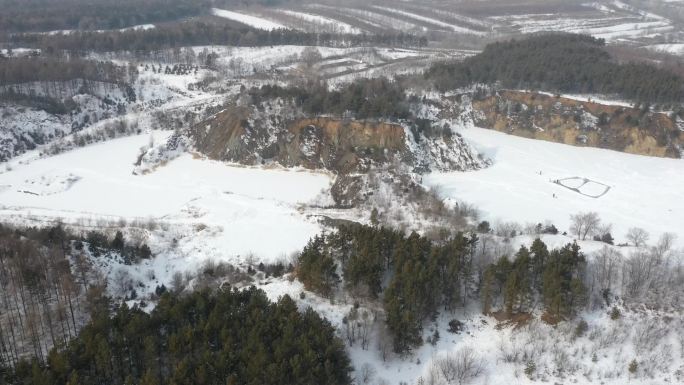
<point>613,20</point>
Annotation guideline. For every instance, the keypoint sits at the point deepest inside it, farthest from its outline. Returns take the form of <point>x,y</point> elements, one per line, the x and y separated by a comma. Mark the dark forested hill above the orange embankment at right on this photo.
<point>559,62</point>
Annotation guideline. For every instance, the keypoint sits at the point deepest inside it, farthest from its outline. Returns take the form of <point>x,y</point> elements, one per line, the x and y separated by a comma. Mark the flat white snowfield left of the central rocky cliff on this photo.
<point>214,210</point>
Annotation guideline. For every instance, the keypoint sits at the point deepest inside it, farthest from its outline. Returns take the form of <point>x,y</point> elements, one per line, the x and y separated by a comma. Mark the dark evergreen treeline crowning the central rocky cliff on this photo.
<point>362,99</point>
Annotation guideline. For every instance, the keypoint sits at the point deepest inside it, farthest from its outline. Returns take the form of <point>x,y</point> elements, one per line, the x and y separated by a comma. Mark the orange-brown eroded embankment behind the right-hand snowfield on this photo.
<point>583,123</point>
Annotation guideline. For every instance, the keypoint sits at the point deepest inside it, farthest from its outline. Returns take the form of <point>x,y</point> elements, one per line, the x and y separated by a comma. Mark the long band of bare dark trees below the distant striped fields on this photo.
<point>202,32</point>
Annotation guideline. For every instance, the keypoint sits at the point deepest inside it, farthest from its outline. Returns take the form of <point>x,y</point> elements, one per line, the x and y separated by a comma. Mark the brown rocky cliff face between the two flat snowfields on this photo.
<point>277,133</point>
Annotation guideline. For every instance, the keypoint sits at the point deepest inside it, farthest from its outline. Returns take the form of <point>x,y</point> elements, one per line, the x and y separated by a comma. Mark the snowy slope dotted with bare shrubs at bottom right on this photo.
<point>601,355</point>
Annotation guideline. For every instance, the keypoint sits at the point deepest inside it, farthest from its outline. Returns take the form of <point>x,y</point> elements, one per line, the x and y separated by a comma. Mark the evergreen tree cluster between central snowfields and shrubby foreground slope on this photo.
<point>416,278</point>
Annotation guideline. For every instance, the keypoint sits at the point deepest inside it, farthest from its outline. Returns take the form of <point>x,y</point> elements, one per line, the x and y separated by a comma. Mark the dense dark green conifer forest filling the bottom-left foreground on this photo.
<point>226,337</point>
